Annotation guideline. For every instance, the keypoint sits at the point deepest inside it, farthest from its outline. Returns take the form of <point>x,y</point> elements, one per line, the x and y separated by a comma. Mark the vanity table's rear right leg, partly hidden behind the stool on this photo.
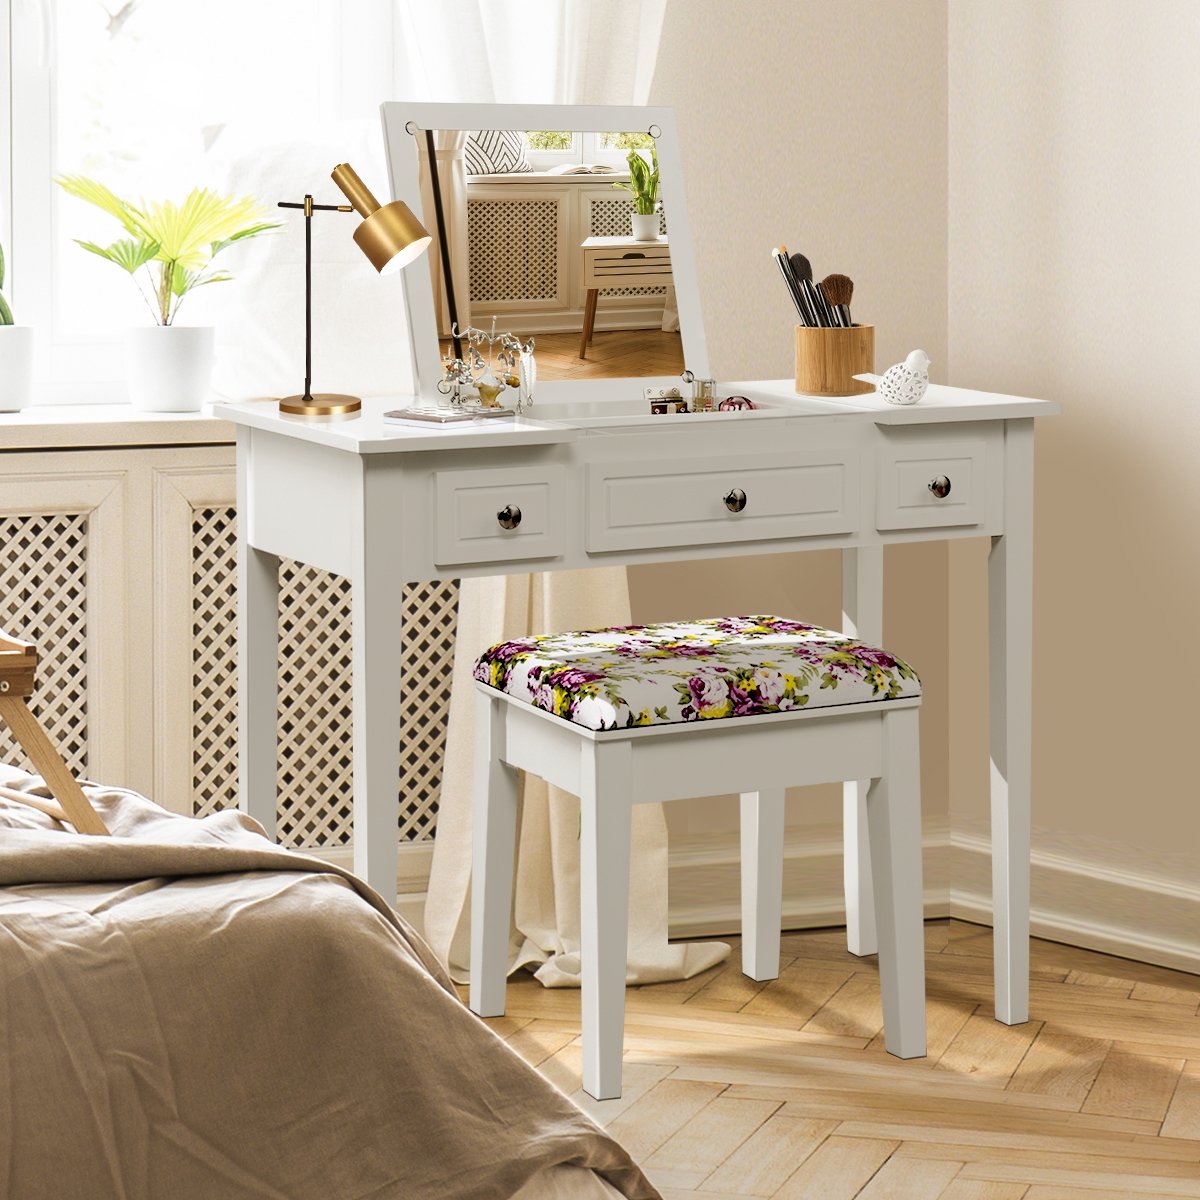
<point>862,616</point>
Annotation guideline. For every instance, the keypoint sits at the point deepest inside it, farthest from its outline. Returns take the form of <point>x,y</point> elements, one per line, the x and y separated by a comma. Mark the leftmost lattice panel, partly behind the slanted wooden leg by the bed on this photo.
<point>44,599</point>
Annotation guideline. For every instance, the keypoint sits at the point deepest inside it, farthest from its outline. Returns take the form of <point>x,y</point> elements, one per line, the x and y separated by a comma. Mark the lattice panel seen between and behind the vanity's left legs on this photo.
<point>315,721</point>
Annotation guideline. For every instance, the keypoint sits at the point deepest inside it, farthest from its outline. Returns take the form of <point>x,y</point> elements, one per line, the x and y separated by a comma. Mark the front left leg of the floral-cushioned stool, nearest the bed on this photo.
<point>605,823</point>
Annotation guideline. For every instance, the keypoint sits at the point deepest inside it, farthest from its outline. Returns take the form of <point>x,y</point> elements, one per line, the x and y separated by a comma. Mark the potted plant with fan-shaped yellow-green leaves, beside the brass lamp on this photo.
<point>169,254</point>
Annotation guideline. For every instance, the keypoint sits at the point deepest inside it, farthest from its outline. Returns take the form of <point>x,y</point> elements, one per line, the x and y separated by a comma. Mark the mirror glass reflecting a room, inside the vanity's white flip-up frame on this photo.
<point>555,236</point>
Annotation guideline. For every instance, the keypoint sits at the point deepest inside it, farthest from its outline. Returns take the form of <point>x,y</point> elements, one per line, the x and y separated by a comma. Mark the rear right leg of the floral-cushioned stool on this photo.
<point>763,883</point>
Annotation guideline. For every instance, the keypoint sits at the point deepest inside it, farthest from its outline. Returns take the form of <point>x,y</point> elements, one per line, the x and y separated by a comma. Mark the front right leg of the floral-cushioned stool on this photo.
<point>893,811</point>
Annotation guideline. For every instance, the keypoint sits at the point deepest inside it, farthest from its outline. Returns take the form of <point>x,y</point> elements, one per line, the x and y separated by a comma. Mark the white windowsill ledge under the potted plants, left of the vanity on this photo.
<point>95,427</point>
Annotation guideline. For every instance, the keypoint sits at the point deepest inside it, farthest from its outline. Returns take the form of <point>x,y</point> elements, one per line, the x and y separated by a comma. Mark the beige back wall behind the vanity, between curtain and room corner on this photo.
<point>824,128</point>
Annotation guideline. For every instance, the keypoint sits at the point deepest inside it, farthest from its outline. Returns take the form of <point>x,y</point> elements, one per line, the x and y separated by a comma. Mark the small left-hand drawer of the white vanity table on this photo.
<point>469,507</point>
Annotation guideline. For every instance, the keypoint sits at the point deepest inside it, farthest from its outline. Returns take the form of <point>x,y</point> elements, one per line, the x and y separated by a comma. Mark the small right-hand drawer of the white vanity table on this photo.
<point>905,499</point>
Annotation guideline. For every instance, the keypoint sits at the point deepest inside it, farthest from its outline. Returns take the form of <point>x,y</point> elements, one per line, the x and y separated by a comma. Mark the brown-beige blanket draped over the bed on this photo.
<point>188,1011</point>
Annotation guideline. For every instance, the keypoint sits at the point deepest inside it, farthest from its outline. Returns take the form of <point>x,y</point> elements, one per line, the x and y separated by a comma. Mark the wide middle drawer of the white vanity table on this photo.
<point>645,506</point>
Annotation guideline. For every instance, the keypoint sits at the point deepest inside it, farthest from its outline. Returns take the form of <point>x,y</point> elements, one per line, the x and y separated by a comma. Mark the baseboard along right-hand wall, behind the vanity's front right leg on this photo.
<point>1087,903</point>
